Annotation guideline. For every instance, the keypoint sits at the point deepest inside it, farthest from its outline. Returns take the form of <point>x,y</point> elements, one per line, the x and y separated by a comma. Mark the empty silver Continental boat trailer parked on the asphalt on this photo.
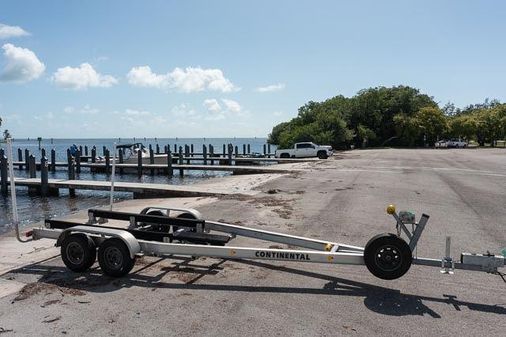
<point>168,232</point>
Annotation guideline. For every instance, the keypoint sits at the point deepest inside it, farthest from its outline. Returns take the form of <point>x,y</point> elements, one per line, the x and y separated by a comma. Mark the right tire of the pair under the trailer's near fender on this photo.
<point>114,258</point>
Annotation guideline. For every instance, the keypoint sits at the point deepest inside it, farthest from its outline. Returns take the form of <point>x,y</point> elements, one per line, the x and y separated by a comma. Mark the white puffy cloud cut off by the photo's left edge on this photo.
<point>22,65</point>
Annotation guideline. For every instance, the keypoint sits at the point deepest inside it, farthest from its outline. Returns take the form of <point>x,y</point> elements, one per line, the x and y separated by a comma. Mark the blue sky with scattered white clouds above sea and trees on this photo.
<point>93,69</point>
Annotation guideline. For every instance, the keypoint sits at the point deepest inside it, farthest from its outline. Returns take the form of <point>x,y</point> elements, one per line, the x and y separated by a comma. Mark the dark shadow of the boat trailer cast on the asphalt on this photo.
<point>378,299</point>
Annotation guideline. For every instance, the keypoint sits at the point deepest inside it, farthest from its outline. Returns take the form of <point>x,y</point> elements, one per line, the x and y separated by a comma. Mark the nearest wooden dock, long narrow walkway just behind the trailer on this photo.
<point>140,190</point>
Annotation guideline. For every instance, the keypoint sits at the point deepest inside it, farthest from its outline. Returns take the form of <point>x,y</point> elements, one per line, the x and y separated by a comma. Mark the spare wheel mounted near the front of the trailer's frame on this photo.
<point>387,256</point>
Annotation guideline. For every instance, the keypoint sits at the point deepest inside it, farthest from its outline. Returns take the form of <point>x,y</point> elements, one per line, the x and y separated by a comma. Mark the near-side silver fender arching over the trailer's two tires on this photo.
<point>129,240</point>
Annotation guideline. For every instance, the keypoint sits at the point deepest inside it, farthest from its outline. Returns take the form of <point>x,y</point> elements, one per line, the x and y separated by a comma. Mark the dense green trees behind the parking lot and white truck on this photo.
<point>390,116</point>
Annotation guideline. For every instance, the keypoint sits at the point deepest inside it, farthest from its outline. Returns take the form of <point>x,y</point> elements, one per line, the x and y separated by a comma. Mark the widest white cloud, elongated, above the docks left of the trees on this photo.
<point>185,80</point>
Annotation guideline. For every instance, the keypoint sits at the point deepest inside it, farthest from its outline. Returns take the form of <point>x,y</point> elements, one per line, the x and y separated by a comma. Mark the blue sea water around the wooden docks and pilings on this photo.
<point>36,208</point>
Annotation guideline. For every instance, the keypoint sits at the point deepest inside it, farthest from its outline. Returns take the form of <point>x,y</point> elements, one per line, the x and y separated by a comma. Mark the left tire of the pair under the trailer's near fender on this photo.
<point>78,252</point>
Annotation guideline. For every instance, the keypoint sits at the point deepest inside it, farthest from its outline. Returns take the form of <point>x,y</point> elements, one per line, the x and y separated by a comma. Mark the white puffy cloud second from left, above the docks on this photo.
<point>82,77</point>
